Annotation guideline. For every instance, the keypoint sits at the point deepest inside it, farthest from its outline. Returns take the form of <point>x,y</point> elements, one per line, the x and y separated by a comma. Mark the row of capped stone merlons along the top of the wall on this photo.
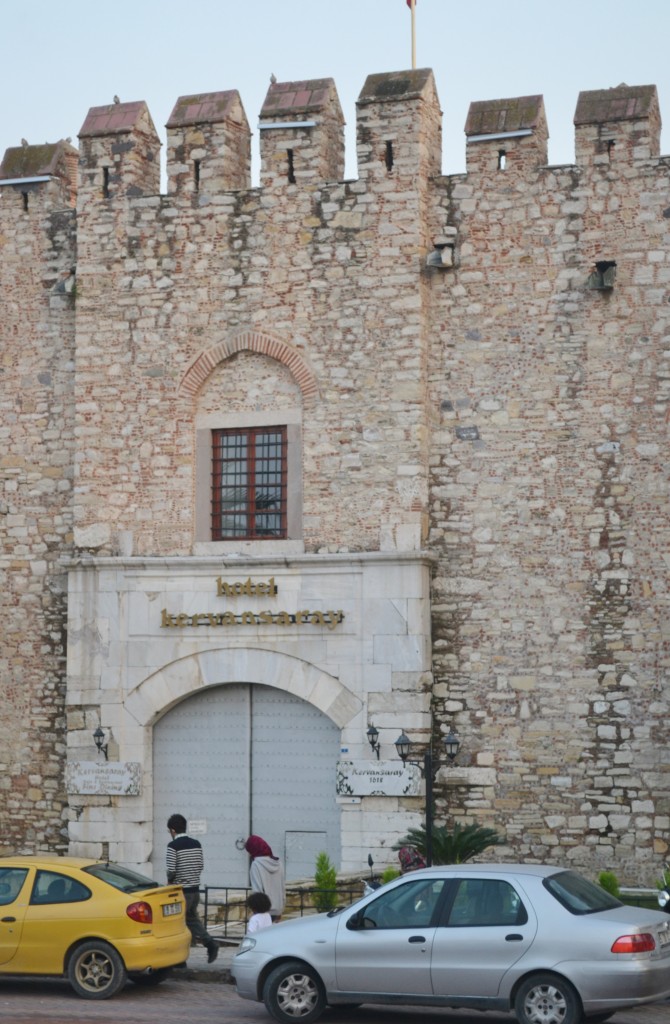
<point>302,141</point>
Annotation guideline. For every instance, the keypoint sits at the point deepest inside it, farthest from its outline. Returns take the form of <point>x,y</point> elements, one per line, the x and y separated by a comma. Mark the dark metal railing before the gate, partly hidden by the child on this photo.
<point>226,913</point>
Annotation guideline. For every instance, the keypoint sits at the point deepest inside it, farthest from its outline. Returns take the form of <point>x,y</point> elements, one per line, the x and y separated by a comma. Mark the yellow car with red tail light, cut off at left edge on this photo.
<point>98,924</point>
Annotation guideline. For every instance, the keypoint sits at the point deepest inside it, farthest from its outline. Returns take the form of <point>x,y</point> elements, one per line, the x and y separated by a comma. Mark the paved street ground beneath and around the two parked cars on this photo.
<point>202,993</point>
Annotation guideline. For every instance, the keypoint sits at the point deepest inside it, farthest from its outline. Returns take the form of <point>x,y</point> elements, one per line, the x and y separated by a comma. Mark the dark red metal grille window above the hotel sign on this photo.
<point>249,484</point>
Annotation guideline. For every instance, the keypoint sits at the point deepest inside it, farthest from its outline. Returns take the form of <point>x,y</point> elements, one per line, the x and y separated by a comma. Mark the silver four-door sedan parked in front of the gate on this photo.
<point>542,943</point>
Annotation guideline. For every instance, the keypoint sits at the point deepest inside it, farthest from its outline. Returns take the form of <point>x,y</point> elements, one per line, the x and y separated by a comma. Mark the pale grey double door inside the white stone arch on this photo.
<point>243,758</point>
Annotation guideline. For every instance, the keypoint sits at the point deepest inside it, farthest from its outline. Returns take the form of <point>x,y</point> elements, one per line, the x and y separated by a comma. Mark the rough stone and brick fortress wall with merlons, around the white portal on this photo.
<point>478,365</point>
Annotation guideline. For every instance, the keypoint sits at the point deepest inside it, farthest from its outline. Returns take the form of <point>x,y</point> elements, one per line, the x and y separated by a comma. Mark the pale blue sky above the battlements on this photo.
<point>58,60</point>
